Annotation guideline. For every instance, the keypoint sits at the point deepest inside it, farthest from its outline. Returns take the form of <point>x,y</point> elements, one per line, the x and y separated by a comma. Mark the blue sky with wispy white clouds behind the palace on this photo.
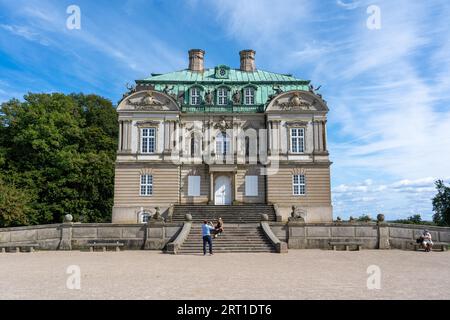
<point>387,89</point>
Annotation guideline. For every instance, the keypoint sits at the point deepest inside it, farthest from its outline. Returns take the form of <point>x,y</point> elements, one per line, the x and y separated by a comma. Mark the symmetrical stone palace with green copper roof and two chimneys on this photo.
<point>209,137</point>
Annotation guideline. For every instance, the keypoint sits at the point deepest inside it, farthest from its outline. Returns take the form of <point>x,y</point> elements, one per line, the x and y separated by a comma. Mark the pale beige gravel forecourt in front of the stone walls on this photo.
<point>300,274</point>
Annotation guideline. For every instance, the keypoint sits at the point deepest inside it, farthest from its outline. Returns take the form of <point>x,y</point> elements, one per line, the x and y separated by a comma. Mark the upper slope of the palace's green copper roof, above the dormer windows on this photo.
<point>234,75</point>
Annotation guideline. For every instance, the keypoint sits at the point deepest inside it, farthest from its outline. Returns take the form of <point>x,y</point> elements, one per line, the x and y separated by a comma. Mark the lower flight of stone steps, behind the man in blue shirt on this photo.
<point>235,238</point>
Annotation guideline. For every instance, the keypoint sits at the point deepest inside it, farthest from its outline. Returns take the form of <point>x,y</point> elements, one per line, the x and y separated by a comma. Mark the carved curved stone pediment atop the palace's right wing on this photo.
<point>297,100</point>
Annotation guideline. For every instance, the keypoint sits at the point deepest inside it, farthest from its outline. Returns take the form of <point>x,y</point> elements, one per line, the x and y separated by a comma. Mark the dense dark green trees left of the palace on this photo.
<point>57,156</point>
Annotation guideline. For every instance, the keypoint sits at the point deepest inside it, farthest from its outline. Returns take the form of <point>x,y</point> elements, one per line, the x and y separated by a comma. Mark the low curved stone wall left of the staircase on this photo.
<point>68,236</point>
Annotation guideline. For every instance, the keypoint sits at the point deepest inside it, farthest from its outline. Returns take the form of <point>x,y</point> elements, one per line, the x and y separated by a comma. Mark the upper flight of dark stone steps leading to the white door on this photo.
<point>237,214</point>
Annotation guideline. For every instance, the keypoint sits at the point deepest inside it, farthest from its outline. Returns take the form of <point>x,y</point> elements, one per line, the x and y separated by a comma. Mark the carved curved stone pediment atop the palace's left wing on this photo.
<point>148,100</point>
